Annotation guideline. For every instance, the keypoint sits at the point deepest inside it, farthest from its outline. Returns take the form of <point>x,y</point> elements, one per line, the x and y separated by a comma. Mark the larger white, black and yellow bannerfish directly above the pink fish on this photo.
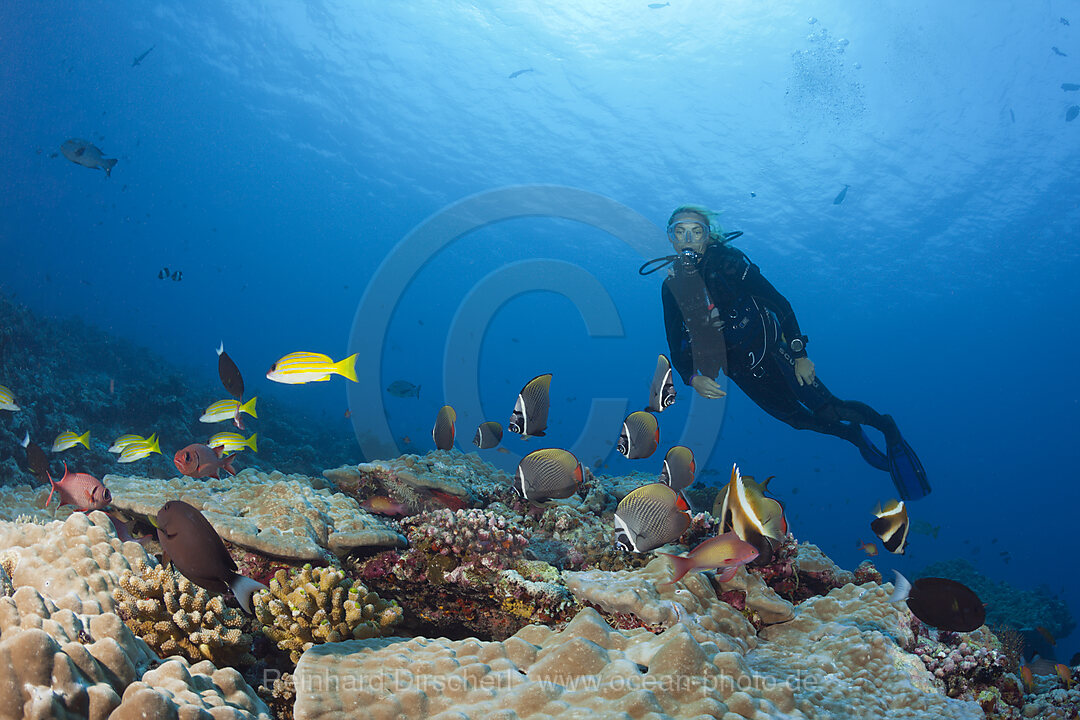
<point>757,519</point>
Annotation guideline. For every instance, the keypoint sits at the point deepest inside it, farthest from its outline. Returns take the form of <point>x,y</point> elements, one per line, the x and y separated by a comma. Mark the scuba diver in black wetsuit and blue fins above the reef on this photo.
<point>723,316</point>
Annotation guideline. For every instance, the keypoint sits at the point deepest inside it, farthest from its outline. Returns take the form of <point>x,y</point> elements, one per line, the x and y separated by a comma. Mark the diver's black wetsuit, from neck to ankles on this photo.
<point>744,328</point>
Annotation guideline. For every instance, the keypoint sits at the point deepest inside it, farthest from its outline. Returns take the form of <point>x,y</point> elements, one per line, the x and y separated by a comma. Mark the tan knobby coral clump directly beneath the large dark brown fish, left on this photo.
<point>178,618</point>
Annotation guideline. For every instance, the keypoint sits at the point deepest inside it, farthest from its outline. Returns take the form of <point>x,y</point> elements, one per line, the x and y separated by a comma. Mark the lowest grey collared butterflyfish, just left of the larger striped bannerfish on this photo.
<point>649,519</point>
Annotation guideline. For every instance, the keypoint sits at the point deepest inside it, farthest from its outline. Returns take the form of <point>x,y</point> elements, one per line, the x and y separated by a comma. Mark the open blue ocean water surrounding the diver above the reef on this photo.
<point>281,155</point>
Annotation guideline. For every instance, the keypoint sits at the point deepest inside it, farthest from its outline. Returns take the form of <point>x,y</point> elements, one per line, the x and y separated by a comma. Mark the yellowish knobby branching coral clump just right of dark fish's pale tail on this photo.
<point>320,605</point>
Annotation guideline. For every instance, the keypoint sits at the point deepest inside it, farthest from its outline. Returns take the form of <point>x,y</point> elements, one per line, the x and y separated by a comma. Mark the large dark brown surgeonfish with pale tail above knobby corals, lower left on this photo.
<point>195,549</point>
